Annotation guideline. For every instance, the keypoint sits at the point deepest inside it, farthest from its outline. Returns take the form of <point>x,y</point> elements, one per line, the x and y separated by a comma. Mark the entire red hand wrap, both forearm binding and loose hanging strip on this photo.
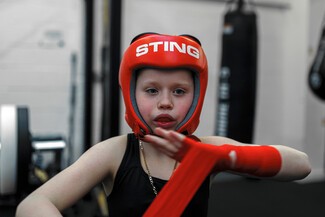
<point>199,160</point>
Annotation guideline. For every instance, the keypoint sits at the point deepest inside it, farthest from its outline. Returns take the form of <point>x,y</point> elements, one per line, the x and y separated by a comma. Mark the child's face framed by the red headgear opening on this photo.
<point>164,97</point>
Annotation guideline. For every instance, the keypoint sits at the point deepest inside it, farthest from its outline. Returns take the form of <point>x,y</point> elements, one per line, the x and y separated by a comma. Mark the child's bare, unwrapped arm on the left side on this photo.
<point>70,185</point>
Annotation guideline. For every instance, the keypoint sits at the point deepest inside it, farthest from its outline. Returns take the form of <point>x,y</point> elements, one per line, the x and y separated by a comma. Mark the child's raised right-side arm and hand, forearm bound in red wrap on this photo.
<point>290,164</point>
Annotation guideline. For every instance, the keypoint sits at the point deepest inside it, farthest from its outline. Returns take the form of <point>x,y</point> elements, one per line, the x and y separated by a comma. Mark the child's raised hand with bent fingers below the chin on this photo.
<point>168,142</point>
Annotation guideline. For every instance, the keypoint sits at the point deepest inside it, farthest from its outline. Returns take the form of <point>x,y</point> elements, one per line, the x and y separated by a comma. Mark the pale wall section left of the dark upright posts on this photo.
<point>37,41</point>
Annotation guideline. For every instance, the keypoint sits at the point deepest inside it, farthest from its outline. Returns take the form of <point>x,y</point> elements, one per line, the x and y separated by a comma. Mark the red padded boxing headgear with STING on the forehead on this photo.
<point>151,50</point>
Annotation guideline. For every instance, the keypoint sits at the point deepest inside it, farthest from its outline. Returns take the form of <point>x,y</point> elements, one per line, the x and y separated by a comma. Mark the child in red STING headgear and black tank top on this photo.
<point>163,79</point>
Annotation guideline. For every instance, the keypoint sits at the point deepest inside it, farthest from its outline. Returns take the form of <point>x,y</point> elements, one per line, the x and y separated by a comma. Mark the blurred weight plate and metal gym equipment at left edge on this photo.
<point>25,161</point>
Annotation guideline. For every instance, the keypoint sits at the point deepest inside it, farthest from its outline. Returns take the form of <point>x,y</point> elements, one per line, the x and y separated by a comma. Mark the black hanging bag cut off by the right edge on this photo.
<point>316,77</point>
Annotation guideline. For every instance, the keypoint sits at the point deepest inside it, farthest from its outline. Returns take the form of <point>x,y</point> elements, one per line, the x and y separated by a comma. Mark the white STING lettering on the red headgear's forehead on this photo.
<point>170,46</point>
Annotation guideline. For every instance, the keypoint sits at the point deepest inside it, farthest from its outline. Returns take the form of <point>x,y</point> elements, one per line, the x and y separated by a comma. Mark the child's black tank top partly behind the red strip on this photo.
<point>132,192</point>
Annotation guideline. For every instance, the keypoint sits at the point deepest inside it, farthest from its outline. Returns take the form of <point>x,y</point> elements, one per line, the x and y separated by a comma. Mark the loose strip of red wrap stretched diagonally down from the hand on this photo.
<point>179,190</point>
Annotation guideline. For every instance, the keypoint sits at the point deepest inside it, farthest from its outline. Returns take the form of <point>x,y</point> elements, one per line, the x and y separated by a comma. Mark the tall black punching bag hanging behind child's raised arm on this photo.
<point>237,76</point>
